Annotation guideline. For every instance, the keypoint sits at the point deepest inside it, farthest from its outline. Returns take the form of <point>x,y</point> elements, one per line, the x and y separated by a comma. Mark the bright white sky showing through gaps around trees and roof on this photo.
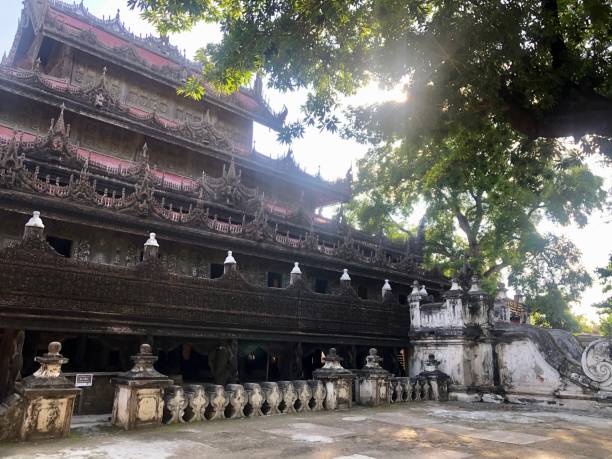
<point>329,152</point>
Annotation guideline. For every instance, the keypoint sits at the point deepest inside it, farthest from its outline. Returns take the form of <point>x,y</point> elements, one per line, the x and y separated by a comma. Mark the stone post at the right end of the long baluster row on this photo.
<point>338,382</point>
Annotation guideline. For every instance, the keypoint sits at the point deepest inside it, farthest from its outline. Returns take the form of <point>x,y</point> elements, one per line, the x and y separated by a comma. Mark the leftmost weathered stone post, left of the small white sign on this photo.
<point>49,398</point>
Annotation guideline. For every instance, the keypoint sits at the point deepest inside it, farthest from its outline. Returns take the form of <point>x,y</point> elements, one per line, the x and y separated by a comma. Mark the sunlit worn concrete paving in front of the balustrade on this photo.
<point>450,430</point>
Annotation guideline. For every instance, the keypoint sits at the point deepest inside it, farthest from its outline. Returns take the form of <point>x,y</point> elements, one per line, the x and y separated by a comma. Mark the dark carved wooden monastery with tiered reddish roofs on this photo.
<point>94,137</point>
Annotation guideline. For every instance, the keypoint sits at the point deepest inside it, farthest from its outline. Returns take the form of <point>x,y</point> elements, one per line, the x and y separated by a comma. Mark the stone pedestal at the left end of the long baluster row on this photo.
<point>139,393</point>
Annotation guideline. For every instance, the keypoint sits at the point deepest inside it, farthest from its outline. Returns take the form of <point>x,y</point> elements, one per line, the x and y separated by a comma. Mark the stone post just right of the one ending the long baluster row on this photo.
<point>373,382</point>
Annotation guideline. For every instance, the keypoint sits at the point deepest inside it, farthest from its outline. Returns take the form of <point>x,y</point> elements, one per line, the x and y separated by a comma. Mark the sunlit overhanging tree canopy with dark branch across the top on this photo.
<point>542,66</point>
